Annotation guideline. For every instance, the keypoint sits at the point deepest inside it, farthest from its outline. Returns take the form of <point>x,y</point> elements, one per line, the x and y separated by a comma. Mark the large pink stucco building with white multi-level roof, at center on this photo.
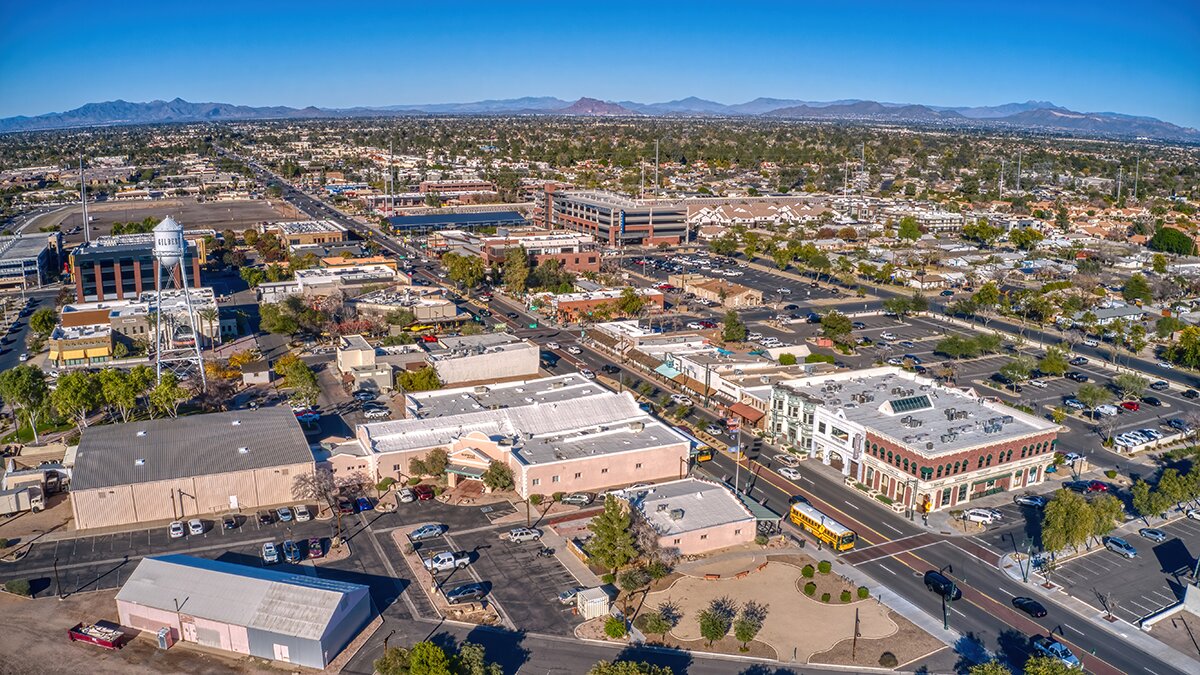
<point>561,434</point>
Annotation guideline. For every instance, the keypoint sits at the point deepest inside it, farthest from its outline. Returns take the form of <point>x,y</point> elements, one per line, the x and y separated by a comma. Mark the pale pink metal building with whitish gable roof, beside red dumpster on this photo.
<point>269,614</point>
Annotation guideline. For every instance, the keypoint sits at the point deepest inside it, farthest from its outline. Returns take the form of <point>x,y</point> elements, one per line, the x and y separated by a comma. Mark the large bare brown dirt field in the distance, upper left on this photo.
<point>193,214</point>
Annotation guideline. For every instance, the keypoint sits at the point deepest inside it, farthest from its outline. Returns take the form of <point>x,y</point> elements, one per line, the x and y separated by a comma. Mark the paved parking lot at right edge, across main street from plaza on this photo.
<point>1139,587</point>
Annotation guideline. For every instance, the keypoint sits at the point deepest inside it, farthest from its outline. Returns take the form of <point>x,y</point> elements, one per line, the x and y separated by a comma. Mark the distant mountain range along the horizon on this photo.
<point>1030,116</point>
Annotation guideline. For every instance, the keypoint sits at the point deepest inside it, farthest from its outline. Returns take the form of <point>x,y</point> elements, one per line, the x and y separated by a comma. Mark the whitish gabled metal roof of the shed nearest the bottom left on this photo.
<point>277,602</point>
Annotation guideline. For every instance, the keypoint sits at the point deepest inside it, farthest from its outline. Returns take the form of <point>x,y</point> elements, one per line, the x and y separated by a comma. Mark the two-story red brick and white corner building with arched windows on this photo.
<point>920,444</point>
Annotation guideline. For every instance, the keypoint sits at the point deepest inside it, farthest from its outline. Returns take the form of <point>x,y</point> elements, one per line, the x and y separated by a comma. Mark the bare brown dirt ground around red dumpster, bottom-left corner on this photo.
<point>33,638</point>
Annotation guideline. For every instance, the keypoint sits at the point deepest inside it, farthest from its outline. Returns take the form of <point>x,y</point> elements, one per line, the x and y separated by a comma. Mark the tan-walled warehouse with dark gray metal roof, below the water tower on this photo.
<point>185,468</point>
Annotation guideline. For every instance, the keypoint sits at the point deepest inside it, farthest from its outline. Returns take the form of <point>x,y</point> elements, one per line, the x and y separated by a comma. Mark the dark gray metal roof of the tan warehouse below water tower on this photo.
<point>202,445</point>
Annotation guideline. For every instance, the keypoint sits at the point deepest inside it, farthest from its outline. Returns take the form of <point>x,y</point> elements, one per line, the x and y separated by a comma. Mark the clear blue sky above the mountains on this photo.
<point>1137,58</point>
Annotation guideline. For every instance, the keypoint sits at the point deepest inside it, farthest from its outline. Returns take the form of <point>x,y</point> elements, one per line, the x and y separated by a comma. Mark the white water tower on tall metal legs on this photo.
<point>177,338</point>
